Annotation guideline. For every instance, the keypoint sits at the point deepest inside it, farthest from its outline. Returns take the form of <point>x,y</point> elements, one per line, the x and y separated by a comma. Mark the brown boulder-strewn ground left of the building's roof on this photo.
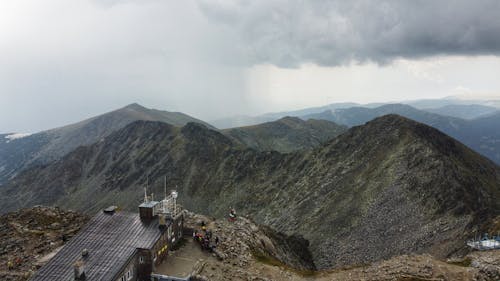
<point>29,235</point>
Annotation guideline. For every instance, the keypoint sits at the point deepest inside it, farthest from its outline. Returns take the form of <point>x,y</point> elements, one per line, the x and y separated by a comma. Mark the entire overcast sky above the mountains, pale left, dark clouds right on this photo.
<point>62,61</point>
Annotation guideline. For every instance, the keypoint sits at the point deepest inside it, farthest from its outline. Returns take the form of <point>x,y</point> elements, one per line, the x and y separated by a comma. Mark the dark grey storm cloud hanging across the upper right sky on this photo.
<point>287,33</point>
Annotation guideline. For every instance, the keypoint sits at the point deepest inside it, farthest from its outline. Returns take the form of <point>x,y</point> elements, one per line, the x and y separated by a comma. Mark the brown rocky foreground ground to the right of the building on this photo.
<point>250,252</point>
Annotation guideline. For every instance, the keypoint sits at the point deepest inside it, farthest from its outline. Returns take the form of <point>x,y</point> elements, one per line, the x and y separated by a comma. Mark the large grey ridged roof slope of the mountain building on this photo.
<point>111,240</point>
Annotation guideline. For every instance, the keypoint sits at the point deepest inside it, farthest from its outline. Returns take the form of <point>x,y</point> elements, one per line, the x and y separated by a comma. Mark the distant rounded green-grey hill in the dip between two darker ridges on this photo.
<point>286,134</point>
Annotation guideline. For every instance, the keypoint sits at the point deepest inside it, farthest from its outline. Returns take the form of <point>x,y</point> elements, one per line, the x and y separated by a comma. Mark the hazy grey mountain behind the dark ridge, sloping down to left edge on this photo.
<point>43,147</point>
